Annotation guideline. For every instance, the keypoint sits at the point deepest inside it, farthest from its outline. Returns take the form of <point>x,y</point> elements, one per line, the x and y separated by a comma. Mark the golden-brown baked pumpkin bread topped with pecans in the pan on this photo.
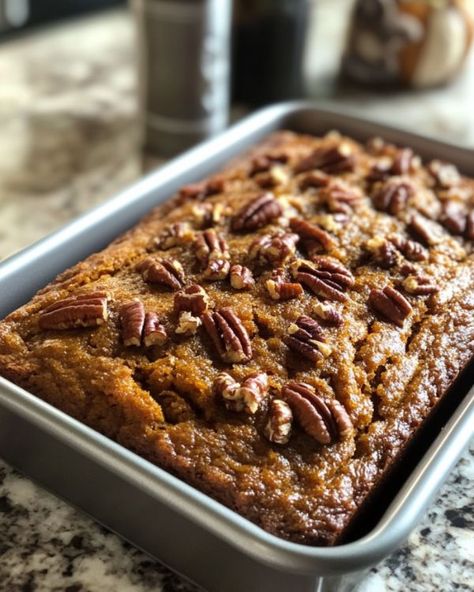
<point>272,335</point>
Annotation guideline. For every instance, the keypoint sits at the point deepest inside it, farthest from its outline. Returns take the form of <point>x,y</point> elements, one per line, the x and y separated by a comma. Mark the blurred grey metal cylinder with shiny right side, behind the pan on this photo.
<point>184,71</point>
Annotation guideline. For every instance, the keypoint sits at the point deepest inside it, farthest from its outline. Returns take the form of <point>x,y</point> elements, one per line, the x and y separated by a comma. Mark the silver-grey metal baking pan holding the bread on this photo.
<point>193,534</point>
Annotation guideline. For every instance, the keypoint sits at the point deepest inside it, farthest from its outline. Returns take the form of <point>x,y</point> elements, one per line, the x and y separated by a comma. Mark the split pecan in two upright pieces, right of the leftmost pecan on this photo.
<point>138,326</point>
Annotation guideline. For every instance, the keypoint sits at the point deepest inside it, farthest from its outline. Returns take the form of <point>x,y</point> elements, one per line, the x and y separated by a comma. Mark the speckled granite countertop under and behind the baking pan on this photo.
<point>68,140</point>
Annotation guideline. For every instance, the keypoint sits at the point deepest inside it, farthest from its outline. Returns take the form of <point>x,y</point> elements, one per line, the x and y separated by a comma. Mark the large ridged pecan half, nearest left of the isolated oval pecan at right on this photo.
<point>324,277</point>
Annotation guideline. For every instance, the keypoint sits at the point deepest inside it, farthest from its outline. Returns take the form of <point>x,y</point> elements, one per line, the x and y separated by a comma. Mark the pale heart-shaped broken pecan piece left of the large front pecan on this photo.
<point>242,397</point>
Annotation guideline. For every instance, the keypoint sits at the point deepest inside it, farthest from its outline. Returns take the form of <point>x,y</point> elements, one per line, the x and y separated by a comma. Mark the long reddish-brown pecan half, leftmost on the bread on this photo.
<point>84,310</point>
